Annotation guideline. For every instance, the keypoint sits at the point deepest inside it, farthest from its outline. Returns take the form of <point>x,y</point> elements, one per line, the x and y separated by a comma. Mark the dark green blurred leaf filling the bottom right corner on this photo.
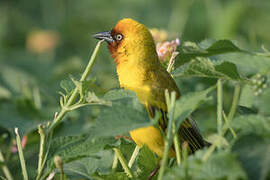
<point>253,152</point>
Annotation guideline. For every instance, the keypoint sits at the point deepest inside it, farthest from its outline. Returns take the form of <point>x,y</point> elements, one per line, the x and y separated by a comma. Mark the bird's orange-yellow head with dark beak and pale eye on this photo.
<point>129,39</point>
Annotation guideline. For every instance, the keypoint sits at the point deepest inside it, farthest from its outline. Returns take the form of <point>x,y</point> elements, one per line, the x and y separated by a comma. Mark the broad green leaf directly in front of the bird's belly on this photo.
<point>124,115</point>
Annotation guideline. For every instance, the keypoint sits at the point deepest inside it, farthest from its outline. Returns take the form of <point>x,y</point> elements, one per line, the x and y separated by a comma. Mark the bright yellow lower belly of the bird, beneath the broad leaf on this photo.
<point>151,137</point>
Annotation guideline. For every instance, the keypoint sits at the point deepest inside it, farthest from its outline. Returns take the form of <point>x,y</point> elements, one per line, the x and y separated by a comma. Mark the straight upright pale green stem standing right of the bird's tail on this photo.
<point>219,106</point>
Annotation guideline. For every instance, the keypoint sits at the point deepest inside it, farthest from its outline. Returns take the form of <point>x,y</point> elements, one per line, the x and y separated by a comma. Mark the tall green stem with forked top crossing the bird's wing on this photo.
<point>169,137</point>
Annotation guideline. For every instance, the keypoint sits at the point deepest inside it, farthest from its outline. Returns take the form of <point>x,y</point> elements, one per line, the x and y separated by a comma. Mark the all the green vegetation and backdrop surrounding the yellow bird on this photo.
<point>224,85</point>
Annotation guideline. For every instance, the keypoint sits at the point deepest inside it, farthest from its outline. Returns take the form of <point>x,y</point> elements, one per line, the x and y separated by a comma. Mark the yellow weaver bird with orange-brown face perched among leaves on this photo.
<point>139,69</point>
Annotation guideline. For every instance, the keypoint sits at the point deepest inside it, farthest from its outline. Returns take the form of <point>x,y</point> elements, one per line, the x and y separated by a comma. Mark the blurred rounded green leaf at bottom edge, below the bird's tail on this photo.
<point>220,165</point>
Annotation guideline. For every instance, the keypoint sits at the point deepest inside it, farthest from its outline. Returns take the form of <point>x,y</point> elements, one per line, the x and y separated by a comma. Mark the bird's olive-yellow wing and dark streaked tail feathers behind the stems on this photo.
<point>188,130</point>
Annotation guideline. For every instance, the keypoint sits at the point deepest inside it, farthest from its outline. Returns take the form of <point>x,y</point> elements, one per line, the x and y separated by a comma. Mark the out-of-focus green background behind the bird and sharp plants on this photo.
<point>43,42</point>
